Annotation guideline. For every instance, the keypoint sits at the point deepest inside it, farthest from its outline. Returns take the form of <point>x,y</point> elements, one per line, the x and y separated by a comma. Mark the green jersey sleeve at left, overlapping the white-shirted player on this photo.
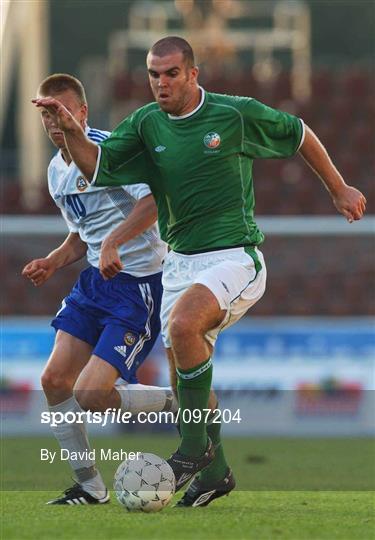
<point>120,158</point>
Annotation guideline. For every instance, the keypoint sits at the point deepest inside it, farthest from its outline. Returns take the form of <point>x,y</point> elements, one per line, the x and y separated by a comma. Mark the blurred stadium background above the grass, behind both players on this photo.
<point>307,349</point>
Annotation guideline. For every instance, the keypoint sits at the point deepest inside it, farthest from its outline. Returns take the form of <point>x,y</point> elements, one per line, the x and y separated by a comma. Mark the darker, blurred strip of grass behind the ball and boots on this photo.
<point>258,464</point>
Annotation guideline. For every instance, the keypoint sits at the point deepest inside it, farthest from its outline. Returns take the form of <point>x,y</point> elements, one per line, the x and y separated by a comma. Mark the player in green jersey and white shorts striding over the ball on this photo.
<point>198,148</point>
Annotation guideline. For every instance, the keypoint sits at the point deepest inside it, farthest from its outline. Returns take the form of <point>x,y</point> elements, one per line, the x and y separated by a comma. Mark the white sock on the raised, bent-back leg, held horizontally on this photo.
<point>137,398</point>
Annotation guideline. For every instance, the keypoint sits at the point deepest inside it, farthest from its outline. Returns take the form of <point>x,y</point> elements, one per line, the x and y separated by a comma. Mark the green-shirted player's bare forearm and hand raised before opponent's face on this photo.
<point>83,152</point>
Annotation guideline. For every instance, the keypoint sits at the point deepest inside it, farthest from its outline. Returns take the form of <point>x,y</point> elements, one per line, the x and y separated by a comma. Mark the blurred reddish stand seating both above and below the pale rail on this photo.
<point>328,275</point>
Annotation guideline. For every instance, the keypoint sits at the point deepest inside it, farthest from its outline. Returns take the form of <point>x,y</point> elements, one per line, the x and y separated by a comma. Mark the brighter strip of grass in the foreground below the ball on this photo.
<point>242,515</point>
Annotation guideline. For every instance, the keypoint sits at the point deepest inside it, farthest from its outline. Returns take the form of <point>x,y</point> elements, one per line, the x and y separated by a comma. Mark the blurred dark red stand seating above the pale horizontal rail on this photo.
<point>341,111</point>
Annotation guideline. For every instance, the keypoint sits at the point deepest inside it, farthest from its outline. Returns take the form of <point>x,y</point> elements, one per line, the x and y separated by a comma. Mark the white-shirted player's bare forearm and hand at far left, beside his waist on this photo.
<point>71,250</point>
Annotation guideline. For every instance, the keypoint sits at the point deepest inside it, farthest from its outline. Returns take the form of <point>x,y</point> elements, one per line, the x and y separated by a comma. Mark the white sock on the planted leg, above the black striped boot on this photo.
<point>73,437</point>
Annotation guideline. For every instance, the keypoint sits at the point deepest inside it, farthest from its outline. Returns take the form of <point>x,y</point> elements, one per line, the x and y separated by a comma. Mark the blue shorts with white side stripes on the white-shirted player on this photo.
<point>118,317</point>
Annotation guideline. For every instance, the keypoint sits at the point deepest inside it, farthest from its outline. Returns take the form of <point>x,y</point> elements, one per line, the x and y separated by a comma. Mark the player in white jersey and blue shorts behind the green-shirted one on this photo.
<point>106,325</point>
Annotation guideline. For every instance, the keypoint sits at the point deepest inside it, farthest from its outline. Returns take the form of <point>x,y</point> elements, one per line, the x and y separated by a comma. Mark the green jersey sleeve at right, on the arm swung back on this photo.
<point>269,133</point>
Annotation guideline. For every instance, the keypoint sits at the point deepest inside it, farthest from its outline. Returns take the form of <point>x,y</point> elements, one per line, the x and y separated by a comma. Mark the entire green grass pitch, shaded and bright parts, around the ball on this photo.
<point>287,489</point>
